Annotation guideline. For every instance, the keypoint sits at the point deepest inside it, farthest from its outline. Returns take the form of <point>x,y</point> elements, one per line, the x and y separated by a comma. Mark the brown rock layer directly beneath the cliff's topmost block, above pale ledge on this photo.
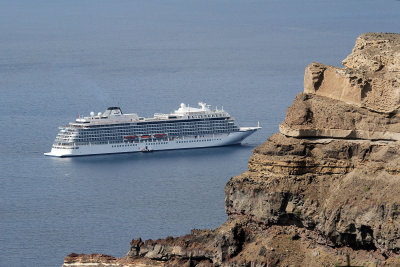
<point>316,116</point>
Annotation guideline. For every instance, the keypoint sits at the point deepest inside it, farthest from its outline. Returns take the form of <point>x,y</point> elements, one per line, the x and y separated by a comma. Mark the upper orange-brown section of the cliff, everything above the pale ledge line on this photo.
<point>359,101</point>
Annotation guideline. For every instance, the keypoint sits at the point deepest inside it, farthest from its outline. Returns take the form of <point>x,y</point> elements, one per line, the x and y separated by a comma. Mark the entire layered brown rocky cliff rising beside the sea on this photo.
<point>323,188</point>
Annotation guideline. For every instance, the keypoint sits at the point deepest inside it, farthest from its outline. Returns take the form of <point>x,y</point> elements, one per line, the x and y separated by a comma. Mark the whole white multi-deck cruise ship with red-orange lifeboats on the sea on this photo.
<point>115,132</point>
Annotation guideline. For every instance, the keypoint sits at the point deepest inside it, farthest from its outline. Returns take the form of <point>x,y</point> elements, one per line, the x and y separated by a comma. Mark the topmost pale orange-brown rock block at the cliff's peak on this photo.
<point>370,79</point>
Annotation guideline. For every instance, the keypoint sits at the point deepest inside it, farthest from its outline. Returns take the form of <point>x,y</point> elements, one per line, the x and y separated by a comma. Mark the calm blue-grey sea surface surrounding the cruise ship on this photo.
<point>60,59</point>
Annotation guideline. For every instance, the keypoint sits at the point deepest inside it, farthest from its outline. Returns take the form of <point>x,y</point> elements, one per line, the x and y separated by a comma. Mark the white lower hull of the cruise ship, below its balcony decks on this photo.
<point>162,144</point>
